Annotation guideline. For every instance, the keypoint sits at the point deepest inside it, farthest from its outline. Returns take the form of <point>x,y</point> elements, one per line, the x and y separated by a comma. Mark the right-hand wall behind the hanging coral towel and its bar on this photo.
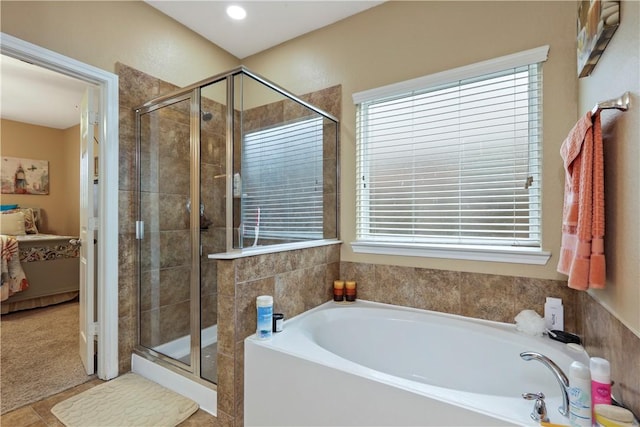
<point>618,71</point>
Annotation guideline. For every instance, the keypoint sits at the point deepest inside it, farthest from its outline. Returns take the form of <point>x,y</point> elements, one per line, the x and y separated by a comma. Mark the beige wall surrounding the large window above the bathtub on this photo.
<point>403,40</point>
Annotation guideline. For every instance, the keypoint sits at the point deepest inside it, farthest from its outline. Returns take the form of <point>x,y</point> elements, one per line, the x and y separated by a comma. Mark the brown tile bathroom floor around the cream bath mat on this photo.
<point>39,413</point>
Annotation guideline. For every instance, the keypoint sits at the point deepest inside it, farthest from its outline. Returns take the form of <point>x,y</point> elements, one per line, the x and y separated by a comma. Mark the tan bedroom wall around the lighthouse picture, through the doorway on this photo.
<point>61,149</point>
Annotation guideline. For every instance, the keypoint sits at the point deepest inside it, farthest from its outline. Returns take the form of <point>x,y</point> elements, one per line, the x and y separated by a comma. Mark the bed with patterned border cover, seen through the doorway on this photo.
<point>51,266</point>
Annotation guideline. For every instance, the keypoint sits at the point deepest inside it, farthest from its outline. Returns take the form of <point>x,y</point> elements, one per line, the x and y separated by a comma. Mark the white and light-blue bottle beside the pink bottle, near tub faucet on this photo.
<point>579,395</point>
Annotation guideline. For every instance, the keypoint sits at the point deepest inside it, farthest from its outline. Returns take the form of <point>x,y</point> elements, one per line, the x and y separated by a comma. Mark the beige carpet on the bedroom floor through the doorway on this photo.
<point>39,354</point>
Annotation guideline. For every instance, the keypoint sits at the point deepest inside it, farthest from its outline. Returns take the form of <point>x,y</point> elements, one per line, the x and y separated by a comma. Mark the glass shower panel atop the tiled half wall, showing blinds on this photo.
<point>288,174</point>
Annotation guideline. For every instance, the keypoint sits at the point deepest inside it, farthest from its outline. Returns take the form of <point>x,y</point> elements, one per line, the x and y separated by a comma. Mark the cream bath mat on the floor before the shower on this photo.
<point>129,400</point>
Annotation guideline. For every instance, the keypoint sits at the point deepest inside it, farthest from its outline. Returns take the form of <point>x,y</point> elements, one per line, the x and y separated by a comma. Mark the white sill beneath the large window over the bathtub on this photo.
<point>516,255</point>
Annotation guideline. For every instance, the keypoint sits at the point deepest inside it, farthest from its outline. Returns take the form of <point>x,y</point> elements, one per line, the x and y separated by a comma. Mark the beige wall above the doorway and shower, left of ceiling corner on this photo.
<point>102,33</point>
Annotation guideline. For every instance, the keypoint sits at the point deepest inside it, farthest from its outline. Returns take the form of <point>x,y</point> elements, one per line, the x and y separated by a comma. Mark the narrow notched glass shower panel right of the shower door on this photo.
<point>213,125</point>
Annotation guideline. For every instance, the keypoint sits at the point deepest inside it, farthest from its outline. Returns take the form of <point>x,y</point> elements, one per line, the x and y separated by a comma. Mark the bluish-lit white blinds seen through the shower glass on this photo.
<point>283,182</point>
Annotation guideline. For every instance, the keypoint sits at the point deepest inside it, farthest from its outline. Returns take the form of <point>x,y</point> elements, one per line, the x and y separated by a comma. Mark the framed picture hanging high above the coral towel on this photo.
<point>597,21</point>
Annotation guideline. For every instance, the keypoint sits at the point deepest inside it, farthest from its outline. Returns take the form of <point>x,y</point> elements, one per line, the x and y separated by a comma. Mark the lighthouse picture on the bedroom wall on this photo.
<point>24,176</point>
